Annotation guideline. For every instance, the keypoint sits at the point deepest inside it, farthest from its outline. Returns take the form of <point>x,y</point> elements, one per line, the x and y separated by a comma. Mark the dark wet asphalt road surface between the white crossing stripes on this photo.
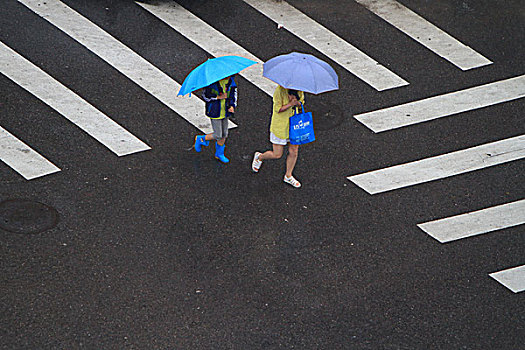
<point>167,249</point>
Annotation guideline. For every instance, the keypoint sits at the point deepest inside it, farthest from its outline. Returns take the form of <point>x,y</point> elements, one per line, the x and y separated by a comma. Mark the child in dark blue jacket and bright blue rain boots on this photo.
<point>221,101</point>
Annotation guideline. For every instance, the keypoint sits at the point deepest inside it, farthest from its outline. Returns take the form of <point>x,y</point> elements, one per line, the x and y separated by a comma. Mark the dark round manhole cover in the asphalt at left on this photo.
<point>24,216</point>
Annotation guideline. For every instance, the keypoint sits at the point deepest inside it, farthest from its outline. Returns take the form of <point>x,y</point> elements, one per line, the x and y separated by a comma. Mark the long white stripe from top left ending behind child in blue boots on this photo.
<point>125,60</point>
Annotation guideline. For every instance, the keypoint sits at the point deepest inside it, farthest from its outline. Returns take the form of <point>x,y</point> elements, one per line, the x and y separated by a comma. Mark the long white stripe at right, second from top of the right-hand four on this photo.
<point>441,166</point>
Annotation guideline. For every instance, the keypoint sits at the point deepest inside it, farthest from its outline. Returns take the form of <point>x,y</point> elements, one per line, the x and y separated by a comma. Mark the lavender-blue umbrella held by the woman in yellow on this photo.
<point>299,71</point>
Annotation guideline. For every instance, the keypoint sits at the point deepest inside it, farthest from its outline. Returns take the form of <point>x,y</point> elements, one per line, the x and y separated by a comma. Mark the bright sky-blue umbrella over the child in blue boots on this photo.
<point>213,70</point>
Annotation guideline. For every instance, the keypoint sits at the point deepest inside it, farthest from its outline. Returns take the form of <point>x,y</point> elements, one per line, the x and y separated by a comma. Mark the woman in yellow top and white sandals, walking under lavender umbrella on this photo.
<point>285,101</point>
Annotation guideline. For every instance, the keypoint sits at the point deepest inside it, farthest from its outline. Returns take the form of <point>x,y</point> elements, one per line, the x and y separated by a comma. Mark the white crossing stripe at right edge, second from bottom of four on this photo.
<point>477,222</point>
